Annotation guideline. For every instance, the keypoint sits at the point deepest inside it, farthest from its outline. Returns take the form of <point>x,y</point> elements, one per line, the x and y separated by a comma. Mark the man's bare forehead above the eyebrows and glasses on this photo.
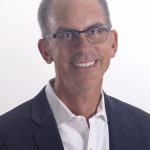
<point>77,14</point>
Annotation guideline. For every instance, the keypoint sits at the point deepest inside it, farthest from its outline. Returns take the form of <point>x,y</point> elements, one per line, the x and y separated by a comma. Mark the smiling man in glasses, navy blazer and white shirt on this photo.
<point>72,112</point>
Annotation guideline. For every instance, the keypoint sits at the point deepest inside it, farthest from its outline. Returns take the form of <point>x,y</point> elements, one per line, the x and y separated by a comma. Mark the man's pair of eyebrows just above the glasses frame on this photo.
<point>61,28</point>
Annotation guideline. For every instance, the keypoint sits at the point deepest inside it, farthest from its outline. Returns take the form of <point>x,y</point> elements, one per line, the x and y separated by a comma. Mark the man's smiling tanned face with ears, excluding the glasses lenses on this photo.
<point>83,65</point>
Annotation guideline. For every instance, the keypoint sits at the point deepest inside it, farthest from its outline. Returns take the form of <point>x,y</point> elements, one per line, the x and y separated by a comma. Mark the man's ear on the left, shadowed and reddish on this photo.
<point>45,51</point>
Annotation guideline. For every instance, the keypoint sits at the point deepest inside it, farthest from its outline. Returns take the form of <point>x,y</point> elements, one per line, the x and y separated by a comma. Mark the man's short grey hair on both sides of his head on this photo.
<point>43,13</point>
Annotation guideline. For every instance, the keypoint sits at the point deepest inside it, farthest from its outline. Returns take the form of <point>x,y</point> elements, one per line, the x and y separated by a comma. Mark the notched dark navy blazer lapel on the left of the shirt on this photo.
<point>47,136</point>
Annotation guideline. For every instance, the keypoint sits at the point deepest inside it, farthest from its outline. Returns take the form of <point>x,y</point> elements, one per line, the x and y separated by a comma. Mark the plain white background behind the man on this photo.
<point>23,73</point>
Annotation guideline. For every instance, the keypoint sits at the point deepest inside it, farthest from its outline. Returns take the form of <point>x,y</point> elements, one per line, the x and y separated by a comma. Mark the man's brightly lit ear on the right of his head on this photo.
<point>113,42</point>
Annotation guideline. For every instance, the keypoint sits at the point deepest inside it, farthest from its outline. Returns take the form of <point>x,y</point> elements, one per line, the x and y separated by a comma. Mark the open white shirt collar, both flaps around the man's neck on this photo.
<point>61,111</point>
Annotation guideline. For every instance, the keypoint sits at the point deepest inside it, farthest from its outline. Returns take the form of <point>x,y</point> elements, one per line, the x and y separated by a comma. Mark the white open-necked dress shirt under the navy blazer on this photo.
<point>74,130</point>
